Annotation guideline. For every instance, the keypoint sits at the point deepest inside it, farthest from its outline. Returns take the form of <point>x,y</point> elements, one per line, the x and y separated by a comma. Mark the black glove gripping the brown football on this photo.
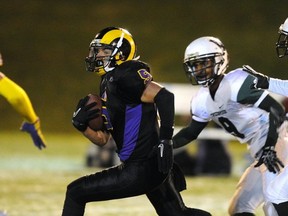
<point>83,114</point>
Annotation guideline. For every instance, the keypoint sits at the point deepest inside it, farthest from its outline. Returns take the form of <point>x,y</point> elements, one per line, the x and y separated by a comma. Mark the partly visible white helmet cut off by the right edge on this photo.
<point>282,43</point>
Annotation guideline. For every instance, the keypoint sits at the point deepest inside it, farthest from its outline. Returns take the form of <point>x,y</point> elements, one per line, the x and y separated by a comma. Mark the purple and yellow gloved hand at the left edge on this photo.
<point>35,131</point>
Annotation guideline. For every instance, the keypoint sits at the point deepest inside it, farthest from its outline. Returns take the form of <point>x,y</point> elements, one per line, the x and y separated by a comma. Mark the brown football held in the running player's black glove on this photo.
<point>96,123</point>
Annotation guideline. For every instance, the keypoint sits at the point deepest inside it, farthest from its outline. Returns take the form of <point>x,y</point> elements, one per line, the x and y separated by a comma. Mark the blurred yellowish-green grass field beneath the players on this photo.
<point>33,182</point>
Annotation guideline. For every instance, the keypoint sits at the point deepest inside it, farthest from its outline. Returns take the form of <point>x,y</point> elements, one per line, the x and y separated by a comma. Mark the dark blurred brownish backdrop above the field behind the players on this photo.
<point>44,43</point>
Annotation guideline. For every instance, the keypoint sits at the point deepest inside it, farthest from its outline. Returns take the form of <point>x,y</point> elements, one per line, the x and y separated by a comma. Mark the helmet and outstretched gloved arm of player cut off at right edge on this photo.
<point>274,85</point>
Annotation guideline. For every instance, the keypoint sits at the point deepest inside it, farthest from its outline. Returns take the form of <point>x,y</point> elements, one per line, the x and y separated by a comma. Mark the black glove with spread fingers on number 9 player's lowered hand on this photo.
<point>270,159</point>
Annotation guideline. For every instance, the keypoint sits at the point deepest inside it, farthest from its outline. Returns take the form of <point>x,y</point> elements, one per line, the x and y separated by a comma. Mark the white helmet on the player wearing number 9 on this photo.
<point>211,53</point>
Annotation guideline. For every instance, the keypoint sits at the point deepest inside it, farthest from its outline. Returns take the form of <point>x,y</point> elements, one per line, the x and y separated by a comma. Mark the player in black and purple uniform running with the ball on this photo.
<point>131,100</point>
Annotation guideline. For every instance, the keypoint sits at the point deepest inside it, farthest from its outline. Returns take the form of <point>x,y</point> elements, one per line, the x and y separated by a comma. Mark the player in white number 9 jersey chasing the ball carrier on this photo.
<point>251,115</point>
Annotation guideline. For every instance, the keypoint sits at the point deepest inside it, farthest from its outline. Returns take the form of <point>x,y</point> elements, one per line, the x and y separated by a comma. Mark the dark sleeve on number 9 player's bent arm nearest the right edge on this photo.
<point>276,114</point>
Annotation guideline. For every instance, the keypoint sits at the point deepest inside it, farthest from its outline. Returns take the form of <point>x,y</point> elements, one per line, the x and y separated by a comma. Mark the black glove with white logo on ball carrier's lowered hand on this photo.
<point>165,156</point>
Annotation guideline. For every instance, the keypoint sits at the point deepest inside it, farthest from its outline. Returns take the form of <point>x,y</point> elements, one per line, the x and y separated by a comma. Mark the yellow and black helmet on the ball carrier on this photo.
<point>121,45</point>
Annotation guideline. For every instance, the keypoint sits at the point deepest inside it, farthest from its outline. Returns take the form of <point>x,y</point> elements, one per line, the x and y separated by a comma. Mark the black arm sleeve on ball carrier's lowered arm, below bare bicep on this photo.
<point>164,101</point>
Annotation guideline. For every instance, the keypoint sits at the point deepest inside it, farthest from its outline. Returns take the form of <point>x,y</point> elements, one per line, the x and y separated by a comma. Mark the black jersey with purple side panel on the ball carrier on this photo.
<point>132,123</point>
